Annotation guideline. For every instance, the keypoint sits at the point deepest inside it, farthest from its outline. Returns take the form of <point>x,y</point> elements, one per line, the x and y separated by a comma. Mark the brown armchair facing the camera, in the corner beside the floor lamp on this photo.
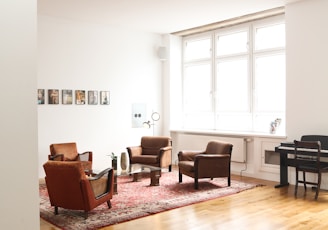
<point>154,151</point>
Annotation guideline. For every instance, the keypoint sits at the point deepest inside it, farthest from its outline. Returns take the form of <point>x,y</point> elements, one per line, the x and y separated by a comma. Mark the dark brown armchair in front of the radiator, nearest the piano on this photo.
<point>212,163</point>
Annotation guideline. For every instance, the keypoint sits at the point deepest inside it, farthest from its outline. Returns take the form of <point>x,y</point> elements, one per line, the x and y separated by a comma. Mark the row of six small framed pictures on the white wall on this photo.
<point>67,97</point>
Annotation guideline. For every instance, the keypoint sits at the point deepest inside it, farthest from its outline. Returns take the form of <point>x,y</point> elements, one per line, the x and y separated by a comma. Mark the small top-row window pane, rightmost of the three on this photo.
<point>270,37</point>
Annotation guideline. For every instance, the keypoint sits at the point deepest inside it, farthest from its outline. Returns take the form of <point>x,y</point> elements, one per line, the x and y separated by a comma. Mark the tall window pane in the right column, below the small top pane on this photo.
<point>270,83</point>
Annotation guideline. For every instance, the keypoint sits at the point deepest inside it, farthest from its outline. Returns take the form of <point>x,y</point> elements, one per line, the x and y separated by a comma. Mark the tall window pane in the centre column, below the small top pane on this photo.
<point>232,86</point>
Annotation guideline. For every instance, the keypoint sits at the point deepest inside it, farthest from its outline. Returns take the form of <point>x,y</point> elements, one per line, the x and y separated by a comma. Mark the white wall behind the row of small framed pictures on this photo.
<point>75,55</point>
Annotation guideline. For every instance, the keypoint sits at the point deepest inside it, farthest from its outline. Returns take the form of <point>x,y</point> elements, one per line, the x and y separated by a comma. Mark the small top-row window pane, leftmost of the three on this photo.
<point>198,49</point>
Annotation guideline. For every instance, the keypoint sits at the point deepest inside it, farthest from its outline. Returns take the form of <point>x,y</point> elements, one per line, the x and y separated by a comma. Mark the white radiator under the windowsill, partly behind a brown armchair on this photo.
<point>198,142</point>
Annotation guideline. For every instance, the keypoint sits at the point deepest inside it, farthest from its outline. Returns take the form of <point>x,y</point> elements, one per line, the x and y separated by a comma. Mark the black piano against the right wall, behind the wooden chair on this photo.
<point>286,151</point>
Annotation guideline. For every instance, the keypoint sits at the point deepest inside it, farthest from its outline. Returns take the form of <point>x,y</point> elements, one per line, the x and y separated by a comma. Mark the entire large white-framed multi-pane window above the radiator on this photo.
<point>234,78</point>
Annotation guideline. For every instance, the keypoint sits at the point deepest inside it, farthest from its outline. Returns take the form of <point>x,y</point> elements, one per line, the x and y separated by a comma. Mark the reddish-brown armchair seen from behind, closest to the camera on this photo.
<point>69,187</point>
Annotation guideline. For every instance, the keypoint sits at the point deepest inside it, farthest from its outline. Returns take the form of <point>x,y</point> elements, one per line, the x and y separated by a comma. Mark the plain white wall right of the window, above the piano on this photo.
<point>307,72</point>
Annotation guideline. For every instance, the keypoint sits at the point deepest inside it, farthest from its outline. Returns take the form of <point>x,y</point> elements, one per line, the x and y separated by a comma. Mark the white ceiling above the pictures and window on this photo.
<point>157,16</point>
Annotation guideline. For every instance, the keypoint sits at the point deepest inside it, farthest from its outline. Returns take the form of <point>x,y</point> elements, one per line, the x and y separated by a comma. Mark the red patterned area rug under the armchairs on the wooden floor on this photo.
<point>138,199</point>
